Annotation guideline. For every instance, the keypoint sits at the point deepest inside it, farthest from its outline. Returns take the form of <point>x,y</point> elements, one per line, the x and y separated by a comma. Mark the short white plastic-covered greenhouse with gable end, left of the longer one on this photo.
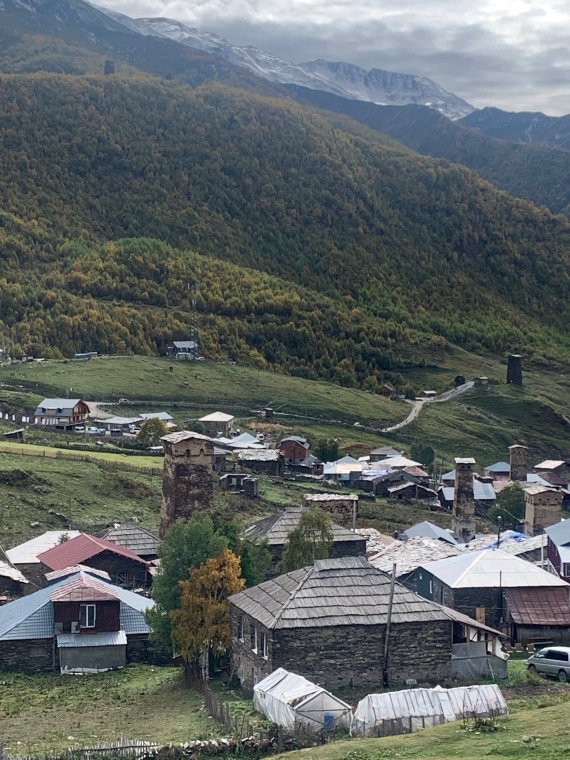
<point>289,700</point>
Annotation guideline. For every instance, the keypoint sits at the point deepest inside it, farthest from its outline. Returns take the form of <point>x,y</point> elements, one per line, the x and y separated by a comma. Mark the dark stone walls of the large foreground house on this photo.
<point>345,655</point>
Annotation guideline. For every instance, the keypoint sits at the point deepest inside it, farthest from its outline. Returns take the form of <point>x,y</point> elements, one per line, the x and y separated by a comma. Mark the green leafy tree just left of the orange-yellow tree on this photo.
<point>187,545</point>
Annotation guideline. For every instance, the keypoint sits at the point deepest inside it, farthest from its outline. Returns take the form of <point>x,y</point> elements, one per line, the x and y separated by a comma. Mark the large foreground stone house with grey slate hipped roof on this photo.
<point>328,623</point>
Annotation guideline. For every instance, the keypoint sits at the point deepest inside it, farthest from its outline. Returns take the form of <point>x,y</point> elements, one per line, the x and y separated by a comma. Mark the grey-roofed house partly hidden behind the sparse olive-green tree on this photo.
<point>276,528</point>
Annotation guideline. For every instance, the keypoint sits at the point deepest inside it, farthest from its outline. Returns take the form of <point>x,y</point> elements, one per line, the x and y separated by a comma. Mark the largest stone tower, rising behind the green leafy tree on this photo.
<point>187,481</point>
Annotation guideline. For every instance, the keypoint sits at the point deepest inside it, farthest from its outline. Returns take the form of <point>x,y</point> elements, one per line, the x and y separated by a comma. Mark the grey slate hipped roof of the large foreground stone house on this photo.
<point>333,592</point>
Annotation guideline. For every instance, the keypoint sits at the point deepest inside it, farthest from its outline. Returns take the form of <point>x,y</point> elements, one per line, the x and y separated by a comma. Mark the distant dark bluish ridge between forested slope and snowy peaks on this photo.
<point>535,173</point>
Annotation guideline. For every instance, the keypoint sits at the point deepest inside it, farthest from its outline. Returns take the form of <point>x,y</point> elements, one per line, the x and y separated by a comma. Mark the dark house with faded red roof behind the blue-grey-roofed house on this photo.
<point>125,568</point>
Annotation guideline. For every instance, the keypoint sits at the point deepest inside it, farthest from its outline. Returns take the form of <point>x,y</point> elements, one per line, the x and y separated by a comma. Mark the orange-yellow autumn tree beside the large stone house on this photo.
<point>202,624</point>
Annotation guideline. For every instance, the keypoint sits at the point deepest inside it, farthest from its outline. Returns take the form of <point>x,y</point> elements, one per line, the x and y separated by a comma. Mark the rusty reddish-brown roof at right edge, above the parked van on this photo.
<point>539,606</point>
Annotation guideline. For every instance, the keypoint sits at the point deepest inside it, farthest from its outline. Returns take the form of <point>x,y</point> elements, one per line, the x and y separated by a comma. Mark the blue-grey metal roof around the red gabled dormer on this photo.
<point>31,617</point>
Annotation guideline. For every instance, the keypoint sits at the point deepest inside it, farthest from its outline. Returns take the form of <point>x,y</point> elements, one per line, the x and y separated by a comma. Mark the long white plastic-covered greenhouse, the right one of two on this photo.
<point>404,712</point>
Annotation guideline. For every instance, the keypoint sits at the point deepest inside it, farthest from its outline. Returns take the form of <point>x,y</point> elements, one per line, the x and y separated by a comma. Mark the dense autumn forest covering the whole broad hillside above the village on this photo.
<point>322,254</point>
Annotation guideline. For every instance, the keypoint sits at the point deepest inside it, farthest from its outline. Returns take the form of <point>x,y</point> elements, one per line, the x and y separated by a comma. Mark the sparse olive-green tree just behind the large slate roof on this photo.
<point>310,540</point>
